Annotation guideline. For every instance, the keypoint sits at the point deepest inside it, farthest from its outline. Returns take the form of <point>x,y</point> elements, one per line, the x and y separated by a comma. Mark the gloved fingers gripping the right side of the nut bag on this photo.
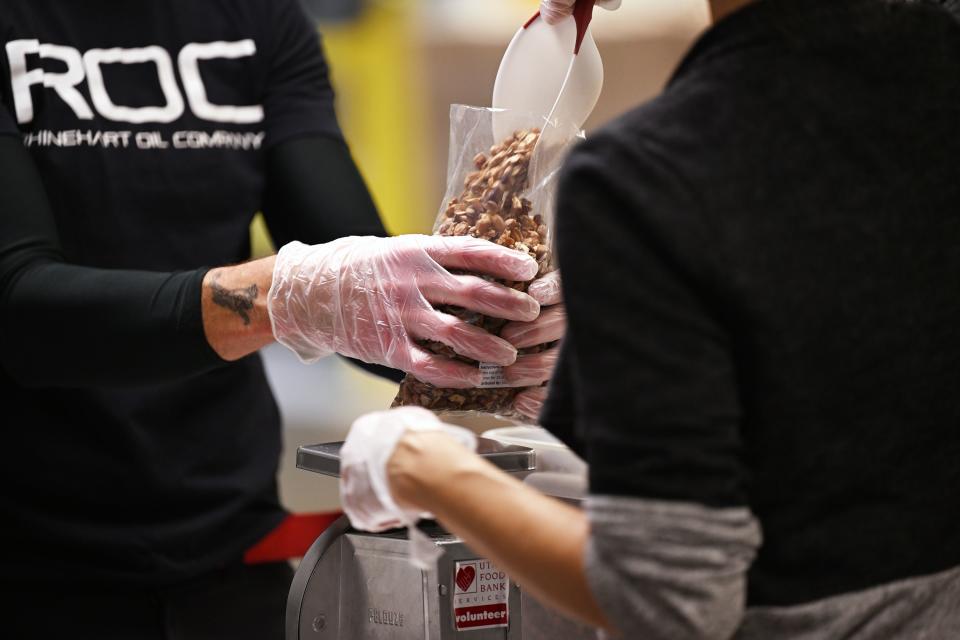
<point>536,368</point>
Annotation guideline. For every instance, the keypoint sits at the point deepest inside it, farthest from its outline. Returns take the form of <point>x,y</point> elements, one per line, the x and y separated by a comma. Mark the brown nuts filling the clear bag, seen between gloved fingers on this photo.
<point>491,207</point>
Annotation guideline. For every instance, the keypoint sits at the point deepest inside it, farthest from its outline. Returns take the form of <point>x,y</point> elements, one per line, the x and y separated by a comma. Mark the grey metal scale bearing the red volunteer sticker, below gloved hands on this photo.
<point>353,585</point>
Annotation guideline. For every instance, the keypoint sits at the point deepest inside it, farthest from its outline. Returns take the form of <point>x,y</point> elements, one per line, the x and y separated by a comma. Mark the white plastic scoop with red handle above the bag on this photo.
<point>549,71</point>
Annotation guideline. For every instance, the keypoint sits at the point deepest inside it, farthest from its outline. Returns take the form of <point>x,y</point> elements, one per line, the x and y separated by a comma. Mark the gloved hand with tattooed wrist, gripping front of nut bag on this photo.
<point>372,298</point>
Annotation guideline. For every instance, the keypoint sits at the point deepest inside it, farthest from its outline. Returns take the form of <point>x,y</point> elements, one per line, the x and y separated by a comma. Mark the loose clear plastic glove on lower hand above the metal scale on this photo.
<point>364,486</point>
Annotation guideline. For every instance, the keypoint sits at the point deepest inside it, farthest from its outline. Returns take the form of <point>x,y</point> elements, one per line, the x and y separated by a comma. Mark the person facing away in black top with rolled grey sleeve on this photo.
<point>763,349</point>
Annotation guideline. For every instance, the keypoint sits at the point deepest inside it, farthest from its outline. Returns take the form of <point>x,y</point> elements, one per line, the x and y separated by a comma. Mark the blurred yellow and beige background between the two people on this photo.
<point>397,66</point>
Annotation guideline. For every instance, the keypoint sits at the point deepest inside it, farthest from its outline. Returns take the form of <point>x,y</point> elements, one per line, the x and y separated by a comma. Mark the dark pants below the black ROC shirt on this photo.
<point>240,603</point>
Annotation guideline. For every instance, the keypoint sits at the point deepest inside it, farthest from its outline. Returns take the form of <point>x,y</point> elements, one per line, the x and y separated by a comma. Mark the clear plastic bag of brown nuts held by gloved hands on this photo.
<point>501,191</point>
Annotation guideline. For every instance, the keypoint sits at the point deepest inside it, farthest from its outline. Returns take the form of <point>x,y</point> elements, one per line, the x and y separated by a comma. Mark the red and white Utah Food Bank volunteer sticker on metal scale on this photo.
<point>481,596</point>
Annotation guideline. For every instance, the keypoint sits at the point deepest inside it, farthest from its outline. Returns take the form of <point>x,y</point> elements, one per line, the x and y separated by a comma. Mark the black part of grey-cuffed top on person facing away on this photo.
<point>760,271</point>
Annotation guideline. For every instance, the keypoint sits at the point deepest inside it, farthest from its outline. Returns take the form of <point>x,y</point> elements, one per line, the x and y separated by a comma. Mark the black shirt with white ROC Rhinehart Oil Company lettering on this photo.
<point>137,140</point>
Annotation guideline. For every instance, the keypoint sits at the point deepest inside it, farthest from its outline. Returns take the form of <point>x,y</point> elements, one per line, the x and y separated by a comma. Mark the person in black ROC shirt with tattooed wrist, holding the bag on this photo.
<point>141,440</point>
